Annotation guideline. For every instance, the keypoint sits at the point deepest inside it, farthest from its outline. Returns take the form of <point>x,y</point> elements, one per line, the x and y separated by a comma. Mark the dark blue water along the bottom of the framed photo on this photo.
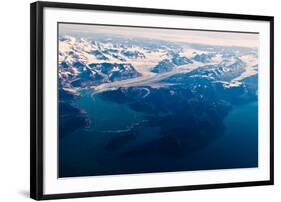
<point>99,148</point>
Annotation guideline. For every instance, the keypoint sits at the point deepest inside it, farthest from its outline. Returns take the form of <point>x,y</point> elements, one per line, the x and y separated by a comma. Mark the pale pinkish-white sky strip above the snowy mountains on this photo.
<point>186,36</point>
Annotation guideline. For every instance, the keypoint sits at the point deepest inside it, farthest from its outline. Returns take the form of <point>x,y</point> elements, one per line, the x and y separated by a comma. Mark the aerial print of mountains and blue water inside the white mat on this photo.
<point>135,100</point>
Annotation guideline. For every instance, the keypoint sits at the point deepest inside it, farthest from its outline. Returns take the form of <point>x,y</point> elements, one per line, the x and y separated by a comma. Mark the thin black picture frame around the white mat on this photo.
<point>36,99</point>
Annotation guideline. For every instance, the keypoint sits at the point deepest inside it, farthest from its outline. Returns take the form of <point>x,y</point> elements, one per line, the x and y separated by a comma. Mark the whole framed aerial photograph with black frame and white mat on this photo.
<point>128,100</point>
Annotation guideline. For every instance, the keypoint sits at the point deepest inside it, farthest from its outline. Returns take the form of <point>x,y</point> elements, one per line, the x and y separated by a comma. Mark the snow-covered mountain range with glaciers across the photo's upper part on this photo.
<point>88,63</point>
